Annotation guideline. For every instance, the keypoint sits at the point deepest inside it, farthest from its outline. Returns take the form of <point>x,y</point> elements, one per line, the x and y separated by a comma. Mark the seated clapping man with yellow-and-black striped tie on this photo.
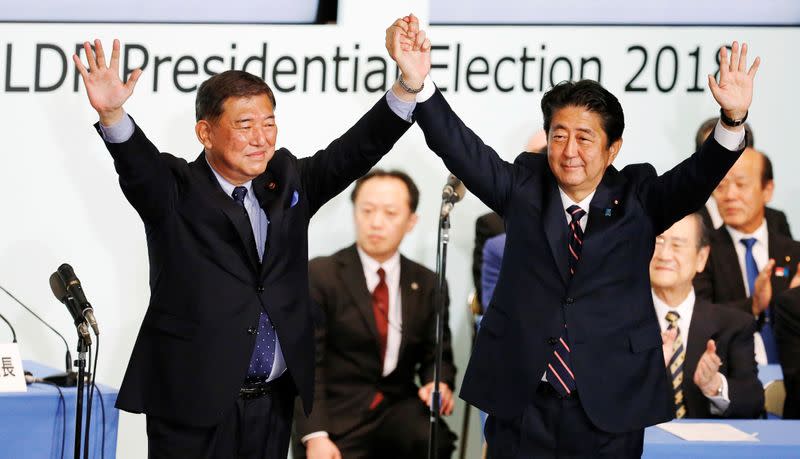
<point>708,349</point>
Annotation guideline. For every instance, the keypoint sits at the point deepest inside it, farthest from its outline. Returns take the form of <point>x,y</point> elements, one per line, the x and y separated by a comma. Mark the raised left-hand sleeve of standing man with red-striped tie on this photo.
<point>480,168</point>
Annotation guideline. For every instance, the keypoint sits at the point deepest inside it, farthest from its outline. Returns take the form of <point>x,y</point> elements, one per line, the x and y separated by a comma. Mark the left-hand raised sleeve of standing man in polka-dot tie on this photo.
<point>144,176</point>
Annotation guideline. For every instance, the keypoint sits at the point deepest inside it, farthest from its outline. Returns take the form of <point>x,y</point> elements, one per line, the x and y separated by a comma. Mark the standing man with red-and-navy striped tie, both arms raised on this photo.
<point>568,360</point>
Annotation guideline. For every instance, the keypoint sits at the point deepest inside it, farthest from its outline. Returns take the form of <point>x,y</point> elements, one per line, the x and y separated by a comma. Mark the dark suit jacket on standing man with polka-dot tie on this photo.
<point>207,286</point>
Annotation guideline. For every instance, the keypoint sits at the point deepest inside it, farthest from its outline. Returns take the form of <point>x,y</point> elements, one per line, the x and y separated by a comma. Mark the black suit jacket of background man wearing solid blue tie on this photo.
<point>721,281</point>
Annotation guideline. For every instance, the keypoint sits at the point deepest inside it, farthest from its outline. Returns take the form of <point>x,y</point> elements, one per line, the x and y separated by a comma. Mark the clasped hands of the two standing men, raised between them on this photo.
<point>410,49</point>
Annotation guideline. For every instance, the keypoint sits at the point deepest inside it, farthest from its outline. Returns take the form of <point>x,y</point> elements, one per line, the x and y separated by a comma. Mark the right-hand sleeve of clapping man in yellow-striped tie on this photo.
<point>744,388</point>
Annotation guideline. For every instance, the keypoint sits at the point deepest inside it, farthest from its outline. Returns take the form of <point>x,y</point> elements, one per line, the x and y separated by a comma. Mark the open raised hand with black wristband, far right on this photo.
<point>734,92</point>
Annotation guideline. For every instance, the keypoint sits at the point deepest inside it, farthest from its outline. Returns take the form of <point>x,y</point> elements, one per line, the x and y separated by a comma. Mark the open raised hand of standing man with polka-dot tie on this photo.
<point>107,93</point>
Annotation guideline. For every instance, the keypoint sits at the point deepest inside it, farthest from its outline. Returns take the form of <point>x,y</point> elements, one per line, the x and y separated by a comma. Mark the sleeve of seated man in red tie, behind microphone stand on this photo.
<point>448,373</point>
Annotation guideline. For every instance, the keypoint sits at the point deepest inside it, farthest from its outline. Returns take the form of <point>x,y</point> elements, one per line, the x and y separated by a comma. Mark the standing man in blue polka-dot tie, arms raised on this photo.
<point>227,341</point>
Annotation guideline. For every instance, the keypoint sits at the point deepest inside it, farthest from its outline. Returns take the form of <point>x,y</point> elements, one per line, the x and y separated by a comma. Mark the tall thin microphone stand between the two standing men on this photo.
<point>441,265</point>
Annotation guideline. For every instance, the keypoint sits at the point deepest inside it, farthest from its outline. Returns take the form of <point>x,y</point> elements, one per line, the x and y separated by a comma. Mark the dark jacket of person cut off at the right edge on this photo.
<point>787,334</point>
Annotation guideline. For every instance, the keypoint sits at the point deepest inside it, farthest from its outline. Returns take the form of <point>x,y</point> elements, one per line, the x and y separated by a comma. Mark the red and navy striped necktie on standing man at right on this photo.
<point>559,366</point>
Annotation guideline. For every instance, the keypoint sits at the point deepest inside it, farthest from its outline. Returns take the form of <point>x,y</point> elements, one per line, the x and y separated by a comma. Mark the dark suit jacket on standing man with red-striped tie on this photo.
<point>608,306</point>
